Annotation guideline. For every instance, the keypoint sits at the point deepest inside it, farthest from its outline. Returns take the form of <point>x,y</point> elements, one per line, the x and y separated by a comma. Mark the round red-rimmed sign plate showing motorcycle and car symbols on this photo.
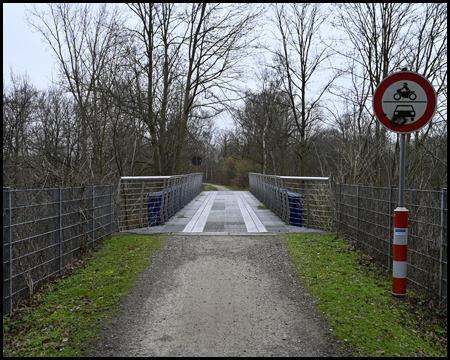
<point>404,102</point>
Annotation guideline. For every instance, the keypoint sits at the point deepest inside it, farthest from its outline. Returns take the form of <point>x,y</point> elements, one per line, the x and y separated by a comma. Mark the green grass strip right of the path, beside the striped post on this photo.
<point>355,299</point>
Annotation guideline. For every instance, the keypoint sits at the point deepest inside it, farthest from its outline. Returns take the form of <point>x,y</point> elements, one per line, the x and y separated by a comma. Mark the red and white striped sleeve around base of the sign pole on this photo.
<point>400,251</point>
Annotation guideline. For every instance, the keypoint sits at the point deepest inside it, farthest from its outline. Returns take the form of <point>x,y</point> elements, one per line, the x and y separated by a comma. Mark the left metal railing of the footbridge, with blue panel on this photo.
<point>151,200</point>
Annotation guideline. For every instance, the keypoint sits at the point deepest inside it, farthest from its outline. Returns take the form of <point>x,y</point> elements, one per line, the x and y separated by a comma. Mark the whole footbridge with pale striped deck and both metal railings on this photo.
<point>177,204</point>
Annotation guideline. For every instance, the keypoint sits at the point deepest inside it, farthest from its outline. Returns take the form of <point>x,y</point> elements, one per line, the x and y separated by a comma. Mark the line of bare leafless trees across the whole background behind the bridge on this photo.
<point>140,89</point>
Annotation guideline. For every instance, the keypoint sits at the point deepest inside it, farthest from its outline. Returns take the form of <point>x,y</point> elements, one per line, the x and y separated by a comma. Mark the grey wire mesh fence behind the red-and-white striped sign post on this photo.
<point>366,214</point>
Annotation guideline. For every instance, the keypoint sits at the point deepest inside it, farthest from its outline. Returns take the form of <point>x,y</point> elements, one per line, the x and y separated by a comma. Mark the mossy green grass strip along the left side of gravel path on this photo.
<point>64,318</point>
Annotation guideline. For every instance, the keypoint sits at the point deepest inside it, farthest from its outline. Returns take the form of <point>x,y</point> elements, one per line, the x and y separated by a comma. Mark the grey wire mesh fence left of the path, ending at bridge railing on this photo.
<point>46,229</point>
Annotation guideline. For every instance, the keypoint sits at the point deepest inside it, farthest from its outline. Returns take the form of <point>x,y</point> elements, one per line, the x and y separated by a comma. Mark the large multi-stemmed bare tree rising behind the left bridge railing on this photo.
<point>192,51</point>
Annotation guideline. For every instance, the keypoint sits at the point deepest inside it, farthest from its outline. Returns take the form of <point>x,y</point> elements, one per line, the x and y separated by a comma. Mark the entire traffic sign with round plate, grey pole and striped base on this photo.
<point>403,102</point>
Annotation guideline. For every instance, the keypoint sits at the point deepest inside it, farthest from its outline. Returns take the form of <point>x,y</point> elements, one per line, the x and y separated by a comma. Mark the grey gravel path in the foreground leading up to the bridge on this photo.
<point>218,296</point>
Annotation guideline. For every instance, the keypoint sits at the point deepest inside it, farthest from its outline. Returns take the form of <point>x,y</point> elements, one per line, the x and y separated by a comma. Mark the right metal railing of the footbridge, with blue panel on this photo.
<point>279,193</point>
